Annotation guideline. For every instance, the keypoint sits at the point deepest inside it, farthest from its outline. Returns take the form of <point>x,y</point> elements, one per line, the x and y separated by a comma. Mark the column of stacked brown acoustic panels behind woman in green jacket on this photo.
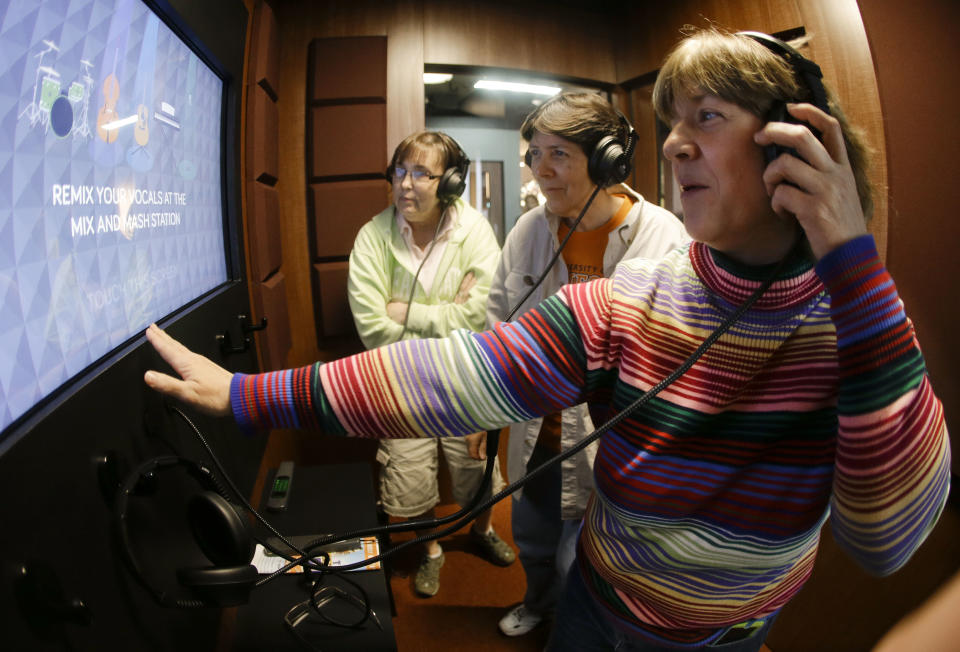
<point>346,154</point>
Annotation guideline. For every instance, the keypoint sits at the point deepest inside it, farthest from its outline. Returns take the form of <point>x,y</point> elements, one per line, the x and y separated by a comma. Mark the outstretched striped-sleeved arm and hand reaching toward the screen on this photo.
<point>417,388</point>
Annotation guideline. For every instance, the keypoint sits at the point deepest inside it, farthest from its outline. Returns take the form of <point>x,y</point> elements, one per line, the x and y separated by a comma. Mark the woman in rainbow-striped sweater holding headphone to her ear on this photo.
<point>709,500</point>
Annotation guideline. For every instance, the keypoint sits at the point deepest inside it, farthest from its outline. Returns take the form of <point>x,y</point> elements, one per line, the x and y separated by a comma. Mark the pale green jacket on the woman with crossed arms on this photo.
<point>382,270</point>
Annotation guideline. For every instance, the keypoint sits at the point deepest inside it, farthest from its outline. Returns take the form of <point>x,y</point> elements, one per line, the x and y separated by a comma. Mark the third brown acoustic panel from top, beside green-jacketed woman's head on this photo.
<point>340,209</point>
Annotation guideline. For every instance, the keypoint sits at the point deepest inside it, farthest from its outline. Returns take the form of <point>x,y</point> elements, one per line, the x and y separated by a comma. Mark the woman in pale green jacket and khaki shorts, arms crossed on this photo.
<point>422,268</point>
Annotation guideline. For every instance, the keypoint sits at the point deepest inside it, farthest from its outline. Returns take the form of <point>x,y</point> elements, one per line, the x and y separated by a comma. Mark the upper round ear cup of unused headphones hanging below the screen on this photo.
<point>220,531</point>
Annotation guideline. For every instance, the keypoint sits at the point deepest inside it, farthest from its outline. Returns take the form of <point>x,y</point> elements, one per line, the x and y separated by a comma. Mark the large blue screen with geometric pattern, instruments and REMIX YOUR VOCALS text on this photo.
<point>111,212</point>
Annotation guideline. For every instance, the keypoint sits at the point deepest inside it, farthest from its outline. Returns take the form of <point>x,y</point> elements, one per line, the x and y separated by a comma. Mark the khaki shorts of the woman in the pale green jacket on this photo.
<point>408,477</point>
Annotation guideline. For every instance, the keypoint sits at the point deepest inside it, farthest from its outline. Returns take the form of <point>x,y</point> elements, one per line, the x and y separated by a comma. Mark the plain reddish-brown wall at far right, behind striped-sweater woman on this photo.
<point>916,53</point>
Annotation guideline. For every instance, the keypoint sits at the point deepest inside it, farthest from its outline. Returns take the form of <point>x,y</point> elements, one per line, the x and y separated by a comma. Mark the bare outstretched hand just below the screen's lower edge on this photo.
<point>203,384</point>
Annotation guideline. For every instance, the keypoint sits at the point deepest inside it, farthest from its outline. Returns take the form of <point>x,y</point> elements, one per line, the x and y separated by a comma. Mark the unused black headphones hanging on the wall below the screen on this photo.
<point>220,531</point>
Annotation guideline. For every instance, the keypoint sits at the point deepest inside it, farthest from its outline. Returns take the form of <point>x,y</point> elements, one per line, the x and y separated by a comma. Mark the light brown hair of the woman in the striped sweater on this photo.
<point>737,69</point>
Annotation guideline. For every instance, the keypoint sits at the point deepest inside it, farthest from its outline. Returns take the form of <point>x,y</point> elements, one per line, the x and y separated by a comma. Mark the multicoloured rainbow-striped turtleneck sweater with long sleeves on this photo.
<point>709,500</point>
